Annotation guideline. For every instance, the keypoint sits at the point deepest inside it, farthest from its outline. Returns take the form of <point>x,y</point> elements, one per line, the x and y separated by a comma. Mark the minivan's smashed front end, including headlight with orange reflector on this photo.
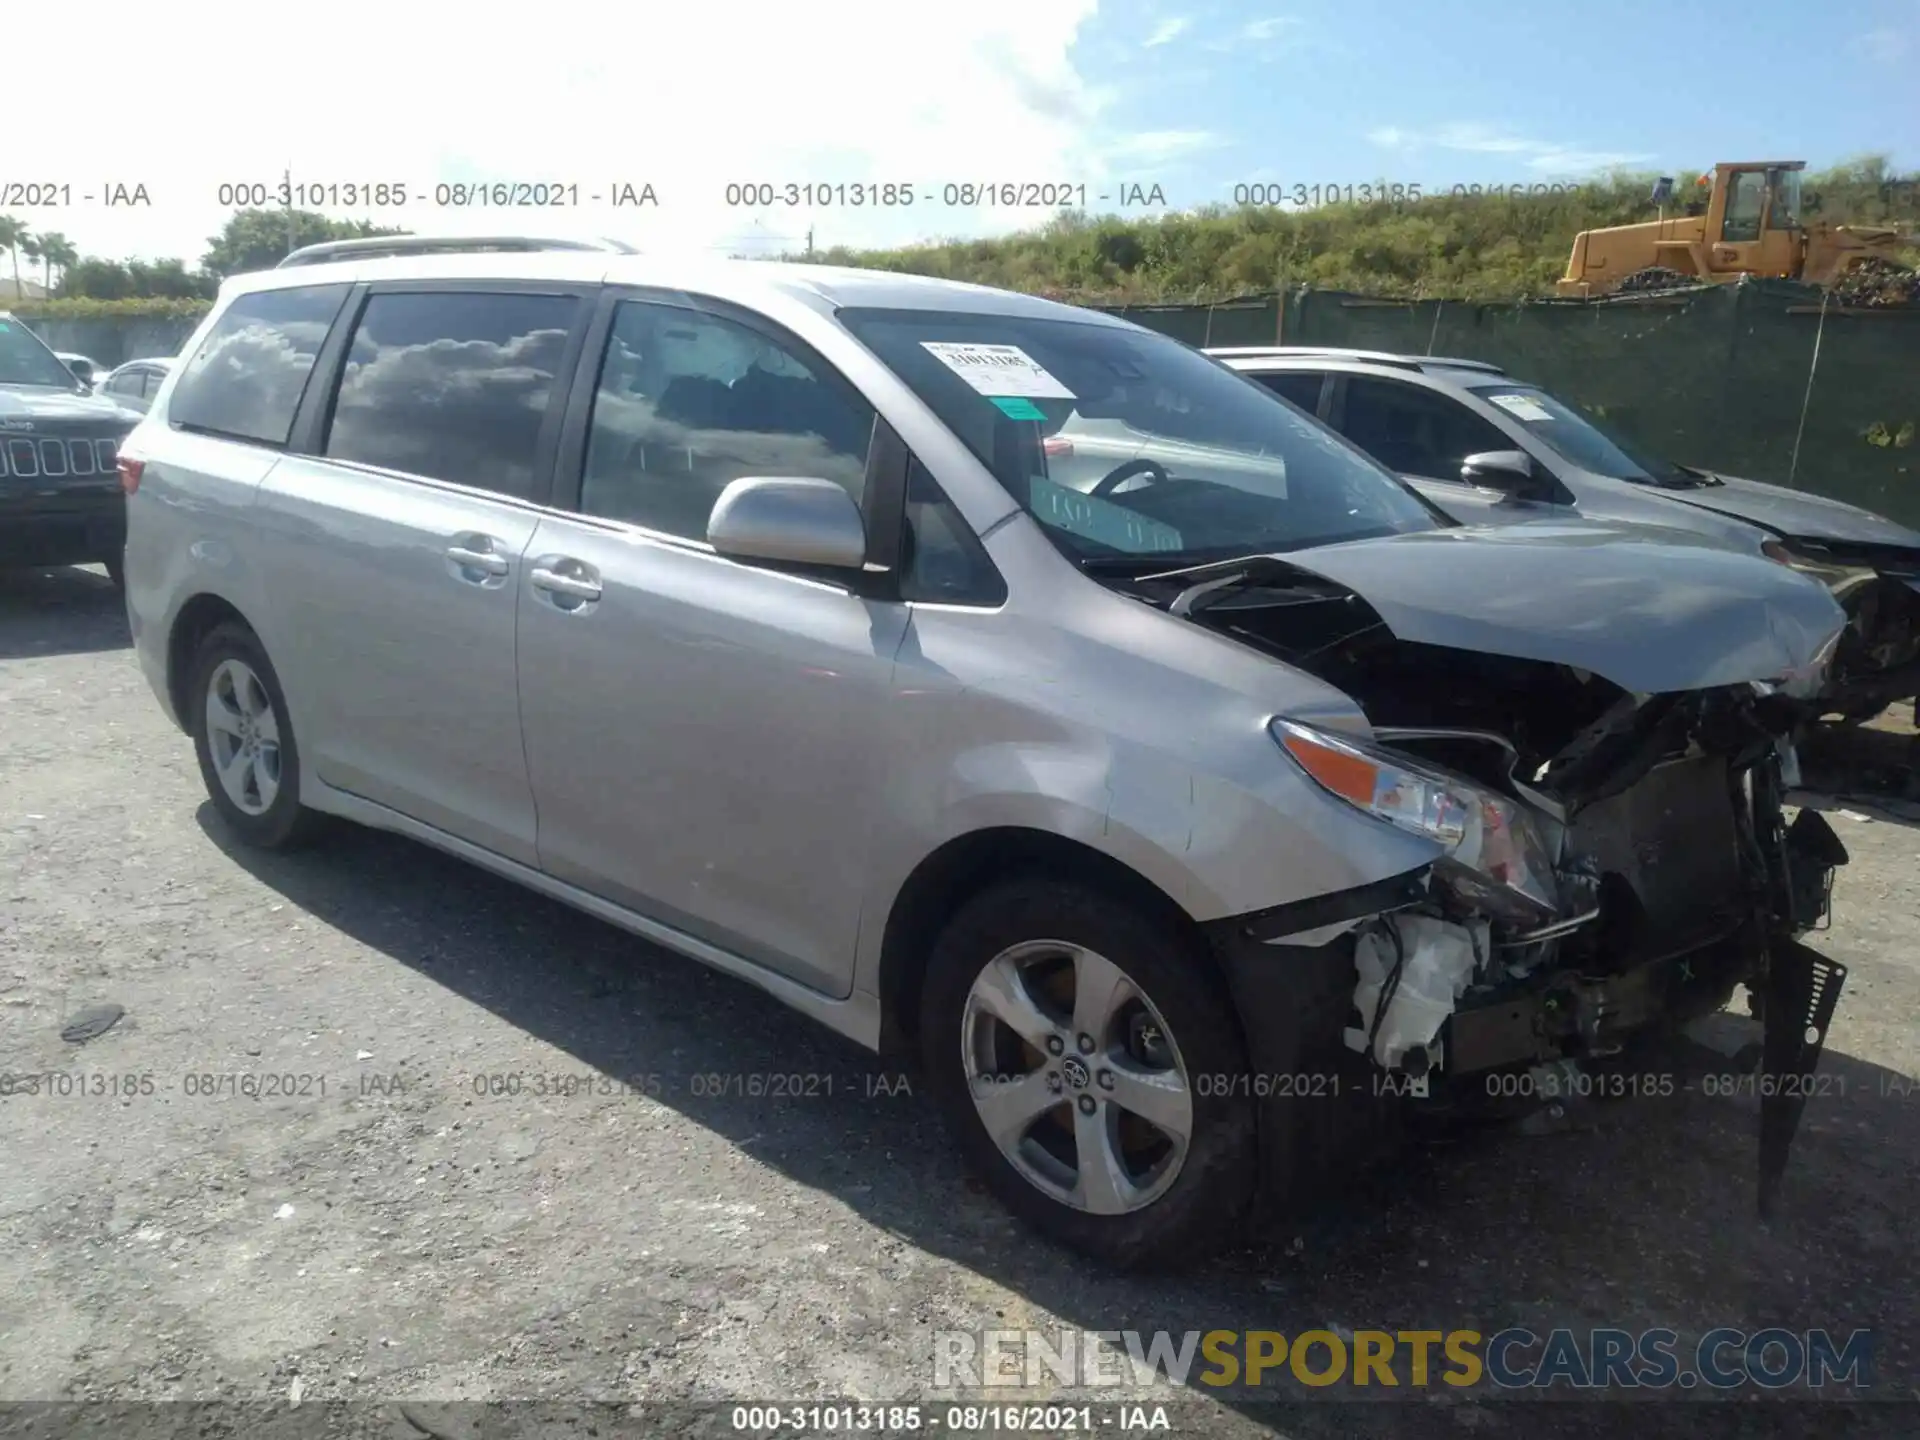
<point>1614,861</point>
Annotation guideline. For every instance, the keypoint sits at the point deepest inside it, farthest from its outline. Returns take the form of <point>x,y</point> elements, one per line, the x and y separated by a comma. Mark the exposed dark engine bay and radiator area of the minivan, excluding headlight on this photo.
<point>1627,869</point>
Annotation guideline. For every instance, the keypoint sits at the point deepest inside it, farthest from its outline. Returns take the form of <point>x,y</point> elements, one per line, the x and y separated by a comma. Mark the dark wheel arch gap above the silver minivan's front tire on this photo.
<point>969,865</point>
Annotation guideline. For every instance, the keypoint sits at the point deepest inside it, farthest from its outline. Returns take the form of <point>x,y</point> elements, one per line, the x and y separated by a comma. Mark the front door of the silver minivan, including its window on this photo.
<point>704,736</point>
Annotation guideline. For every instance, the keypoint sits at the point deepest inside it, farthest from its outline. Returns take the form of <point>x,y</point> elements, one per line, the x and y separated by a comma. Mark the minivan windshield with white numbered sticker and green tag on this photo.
<point>1130,444</point>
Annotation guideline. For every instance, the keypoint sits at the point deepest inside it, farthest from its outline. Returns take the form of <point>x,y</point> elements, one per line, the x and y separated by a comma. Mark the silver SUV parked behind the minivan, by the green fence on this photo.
<point>1495,450</point>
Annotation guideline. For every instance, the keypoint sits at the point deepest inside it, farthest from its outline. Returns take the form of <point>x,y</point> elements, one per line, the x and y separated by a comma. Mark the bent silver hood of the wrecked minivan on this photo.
<point>1646,612</point>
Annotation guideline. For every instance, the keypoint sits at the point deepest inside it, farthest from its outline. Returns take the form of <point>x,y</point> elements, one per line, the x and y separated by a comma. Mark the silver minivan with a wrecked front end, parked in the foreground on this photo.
<point>1193,830</point>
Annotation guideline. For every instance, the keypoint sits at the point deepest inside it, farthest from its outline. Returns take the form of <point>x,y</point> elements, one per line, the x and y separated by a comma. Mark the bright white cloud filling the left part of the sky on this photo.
<point>592,93</point>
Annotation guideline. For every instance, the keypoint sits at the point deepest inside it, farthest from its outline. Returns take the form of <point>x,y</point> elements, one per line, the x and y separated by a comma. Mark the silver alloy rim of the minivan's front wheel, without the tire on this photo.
<point>1076,1078</point>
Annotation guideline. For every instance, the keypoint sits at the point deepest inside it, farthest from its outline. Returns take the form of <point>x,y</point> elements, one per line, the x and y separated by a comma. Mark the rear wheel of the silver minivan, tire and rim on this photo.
<point>245,742</point>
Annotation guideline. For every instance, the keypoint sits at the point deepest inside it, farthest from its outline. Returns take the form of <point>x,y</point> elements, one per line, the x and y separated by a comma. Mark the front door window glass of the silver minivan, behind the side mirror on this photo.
<point>690,402</point>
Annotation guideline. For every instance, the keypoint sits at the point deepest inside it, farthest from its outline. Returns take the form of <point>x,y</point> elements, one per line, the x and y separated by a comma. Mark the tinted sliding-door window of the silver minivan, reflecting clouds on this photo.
<point>452,385</point>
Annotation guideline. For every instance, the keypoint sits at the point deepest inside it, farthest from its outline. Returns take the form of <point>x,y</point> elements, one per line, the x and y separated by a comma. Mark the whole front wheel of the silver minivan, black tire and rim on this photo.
<point>1068,1040</point>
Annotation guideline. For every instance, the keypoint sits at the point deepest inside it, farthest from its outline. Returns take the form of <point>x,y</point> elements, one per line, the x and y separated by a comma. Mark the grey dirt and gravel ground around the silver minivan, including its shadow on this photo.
<point>671,1236</point>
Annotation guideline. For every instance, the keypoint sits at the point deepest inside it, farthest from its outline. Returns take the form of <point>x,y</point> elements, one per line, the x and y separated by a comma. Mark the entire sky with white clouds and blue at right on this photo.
<point>1105,101</point>
